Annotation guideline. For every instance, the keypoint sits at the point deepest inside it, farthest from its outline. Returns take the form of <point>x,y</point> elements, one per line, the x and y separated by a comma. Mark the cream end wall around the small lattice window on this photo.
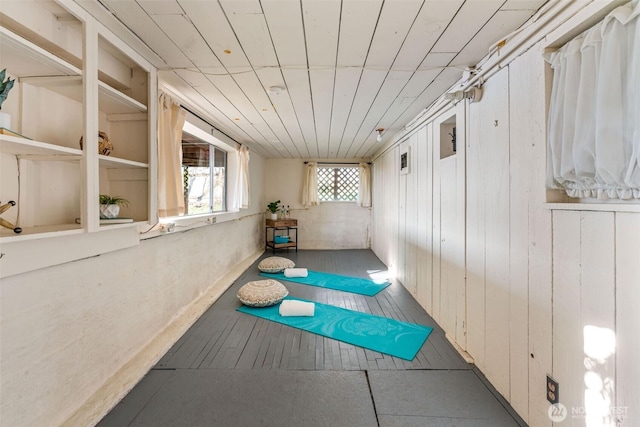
<point>331,225</point>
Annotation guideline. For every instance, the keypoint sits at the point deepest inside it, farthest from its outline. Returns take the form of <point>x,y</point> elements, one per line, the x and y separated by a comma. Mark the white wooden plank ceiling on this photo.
<point>347,67</point>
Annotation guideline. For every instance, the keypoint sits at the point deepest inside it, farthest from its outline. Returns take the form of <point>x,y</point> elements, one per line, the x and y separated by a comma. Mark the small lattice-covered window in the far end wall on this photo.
<point>338,184</point>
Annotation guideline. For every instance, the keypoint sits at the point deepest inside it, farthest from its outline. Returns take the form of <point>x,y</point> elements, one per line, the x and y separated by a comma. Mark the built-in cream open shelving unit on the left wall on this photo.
<point>54,51</point>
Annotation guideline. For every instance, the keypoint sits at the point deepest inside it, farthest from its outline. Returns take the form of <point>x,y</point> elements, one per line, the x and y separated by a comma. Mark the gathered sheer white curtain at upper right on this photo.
<point>594,115</point>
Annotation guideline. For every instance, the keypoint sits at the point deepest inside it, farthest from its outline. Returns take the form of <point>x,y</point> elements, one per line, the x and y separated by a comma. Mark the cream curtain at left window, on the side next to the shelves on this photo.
<point>170,190</point>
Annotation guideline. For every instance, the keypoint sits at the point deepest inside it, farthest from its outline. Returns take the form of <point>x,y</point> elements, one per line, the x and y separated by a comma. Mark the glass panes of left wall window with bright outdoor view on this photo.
<point>204,171</point>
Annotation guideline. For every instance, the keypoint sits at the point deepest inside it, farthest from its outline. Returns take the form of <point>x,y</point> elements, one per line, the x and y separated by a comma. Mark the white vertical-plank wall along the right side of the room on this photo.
<point>544,282</point>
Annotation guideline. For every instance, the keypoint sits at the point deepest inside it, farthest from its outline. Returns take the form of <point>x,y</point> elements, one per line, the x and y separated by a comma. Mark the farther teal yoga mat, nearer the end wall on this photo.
<point>356,285</point>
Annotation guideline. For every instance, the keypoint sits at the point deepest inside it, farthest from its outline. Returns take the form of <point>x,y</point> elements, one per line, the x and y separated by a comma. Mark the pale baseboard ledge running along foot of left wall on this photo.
<point>121,383</point>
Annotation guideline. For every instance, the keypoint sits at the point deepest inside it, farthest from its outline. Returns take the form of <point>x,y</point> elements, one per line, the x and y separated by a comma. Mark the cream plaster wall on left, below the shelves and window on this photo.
<point>66,330</point>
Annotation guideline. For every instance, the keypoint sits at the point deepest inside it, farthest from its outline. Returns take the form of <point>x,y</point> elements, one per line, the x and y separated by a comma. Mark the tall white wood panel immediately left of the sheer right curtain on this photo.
<point>530,301</point>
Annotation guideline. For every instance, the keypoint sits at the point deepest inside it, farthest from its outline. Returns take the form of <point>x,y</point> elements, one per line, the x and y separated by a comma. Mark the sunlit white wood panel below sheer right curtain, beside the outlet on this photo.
<point>584,313</point>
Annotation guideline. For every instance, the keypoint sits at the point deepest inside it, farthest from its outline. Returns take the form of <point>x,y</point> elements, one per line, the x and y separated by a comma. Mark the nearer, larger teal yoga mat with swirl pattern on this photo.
<point>381,334</point>
